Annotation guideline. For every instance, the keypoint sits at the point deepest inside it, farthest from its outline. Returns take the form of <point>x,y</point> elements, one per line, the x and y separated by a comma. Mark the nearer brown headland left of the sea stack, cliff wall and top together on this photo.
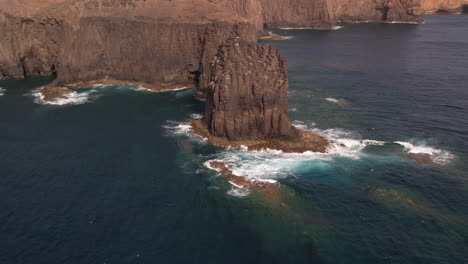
<point>133,40</point>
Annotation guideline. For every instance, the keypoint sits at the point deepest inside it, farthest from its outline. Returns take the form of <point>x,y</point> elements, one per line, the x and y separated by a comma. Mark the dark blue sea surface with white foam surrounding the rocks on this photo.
<point>113,174</point>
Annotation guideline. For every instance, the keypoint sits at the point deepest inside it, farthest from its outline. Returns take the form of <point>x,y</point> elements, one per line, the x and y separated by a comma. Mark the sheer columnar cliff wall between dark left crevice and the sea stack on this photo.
<point>143,51</point>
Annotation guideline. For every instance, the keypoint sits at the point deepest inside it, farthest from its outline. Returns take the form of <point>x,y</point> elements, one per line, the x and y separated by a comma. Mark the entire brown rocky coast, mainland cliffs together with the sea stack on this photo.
<point>164,44</point>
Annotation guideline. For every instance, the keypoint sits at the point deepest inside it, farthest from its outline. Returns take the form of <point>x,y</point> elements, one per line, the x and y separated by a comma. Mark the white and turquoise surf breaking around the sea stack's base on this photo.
<point>270,165</point>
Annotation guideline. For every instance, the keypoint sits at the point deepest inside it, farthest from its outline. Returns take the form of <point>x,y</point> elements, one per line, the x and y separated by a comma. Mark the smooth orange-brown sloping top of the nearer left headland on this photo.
<point>193,11</point>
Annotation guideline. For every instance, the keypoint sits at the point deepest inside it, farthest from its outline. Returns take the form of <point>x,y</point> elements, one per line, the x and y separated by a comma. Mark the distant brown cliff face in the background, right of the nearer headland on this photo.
<point>323,14</point>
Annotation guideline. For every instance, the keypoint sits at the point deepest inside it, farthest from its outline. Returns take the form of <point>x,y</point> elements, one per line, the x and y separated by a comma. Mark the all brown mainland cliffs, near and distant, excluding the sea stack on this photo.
<point>163,41</point>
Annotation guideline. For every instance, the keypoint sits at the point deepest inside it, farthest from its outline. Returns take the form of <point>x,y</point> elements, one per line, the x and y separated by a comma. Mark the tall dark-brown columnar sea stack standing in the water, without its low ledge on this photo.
<point>247,93</point>
